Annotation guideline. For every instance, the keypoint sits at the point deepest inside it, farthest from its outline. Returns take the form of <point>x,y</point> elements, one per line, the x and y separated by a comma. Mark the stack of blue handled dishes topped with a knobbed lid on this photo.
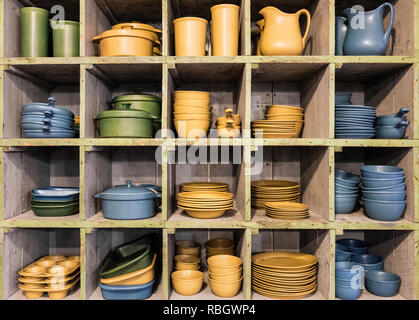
<point>46,120</point>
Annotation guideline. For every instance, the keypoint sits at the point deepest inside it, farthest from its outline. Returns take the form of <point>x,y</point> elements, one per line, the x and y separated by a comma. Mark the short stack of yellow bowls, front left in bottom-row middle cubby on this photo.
<point>187,282</point>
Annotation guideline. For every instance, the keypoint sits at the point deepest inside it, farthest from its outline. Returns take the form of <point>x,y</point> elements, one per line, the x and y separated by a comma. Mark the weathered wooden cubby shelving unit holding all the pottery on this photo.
<point>247,83</point>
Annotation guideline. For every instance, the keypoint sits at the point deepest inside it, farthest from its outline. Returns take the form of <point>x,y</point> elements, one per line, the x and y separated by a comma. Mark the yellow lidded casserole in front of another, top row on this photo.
<point>122,42</point>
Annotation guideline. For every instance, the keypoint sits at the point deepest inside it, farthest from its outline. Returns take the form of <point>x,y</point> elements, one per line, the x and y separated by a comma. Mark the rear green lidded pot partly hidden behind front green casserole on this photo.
<point>146,102</point>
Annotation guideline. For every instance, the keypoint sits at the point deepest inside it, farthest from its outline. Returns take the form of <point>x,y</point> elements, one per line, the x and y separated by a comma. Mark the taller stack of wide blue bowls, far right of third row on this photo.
<point>383,192</point>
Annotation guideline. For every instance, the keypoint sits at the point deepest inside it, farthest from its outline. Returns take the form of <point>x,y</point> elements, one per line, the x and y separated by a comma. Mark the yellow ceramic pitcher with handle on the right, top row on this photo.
<point>281,33</point>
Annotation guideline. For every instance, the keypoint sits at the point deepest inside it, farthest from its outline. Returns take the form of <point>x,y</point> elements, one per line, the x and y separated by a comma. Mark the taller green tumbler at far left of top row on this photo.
<point>34,32</point>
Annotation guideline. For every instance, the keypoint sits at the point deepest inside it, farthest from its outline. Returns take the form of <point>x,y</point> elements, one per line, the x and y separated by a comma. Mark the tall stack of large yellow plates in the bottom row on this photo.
<point>284,275</point>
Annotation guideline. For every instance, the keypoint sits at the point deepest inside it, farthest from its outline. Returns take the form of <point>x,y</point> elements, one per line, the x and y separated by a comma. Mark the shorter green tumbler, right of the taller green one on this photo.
<point>65,38</point>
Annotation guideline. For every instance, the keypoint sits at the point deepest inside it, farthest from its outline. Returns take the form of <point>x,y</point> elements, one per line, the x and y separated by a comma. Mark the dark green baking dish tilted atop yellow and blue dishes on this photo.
<point>130,257</point>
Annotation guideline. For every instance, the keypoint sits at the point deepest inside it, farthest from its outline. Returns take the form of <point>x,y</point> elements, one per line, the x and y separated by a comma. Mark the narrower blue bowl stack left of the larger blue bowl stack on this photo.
<point>346,191</point>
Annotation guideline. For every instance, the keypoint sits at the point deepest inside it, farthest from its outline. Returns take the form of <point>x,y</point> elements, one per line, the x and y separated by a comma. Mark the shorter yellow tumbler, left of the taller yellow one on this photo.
<point>190,36</point>
